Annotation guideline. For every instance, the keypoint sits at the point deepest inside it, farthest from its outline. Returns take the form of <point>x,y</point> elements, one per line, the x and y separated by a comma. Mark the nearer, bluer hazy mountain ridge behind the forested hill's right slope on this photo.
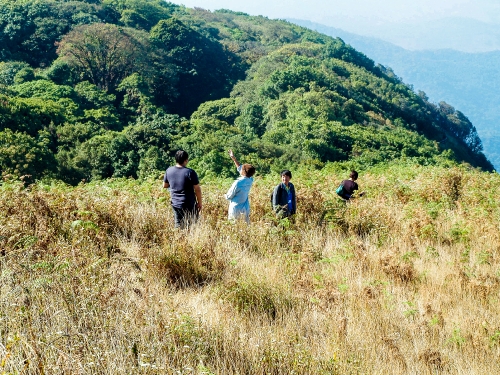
<point>468,81</point>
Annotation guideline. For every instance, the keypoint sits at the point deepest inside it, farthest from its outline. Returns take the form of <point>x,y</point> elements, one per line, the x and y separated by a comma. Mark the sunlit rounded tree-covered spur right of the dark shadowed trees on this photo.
<point>293,87</point>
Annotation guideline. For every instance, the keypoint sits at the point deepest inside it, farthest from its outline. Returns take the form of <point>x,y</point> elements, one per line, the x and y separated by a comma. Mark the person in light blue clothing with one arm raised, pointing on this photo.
<point>239,204</point>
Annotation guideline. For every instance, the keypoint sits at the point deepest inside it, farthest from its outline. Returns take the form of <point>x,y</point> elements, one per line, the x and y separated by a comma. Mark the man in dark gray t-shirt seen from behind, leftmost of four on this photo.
<point>185,190</point>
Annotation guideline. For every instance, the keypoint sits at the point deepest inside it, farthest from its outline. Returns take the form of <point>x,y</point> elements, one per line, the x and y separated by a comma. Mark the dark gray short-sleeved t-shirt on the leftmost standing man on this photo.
<point>182,181</point>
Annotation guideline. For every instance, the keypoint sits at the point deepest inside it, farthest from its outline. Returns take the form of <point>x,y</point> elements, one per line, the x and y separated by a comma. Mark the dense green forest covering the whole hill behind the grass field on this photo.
<point>111,88</point>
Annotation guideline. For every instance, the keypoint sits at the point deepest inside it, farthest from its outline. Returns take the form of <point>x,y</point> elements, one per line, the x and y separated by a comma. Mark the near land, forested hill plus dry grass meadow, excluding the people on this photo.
<point>96,95</point>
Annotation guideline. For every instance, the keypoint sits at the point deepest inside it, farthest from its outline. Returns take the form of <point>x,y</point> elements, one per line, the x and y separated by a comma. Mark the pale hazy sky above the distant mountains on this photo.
<point>359,16</point>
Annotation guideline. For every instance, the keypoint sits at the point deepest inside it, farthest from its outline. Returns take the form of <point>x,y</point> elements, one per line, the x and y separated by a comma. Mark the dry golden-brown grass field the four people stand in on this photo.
<point>95,280</point>
